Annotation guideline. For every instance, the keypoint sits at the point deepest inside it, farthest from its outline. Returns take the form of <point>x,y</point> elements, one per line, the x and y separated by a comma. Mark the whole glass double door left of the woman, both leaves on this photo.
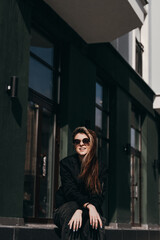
<point>39,165</point>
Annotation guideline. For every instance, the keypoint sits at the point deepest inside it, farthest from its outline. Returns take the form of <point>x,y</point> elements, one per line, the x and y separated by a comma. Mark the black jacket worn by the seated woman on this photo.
<point>73,188</point>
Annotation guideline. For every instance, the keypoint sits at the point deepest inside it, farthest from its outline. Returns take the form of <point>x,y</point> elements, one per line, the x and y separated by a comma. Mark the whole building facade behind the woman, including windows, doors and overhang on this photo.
<point>57,74</point>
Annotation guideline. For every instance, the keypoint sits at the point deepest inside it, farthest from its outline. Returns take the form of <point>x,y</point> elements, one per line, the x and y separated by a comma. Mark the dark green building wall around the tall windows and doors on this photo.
<point>80,66</point>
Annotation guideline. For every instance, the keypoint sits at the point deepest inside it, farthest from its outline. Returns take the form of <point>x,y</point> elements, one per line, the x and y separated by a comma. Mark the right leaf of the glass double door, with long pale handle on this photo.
<point>45,164</point>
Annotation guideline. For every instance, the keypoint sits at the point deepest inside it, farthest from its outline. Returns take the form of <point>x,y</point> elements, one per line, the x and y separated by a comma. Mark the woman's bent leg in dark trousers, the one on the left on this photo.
<point>61,217</point>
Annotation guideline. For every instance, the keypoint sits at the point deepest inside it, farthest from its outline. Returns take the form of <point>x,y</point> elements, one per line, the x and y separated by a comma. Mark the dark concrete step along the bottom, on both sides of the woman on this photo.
<point>48,232</point>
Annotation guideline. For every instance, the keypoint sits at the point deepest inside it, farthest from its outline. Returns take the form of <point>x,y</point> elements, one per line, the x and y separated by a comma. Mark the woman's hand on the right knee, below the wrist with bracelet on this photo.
<point>94,217</point>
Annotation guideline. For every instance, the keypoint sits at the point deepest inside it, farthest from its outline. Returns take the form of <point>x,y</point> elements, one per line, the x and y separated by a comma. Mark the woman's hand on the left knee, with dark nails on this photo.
<point>76,220</point>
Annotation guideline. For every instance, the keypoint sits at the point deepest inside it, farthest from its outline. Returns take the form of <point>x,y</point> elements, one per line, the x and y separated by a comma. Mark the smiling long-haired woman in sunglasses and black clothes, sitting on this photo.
<point>79,199</point>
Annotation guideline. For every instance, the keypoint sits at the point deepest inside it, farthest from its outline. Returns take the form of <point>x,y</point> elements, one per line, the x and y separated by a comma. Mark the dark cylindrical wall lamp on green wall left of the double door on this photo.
<point>12,88</point>
